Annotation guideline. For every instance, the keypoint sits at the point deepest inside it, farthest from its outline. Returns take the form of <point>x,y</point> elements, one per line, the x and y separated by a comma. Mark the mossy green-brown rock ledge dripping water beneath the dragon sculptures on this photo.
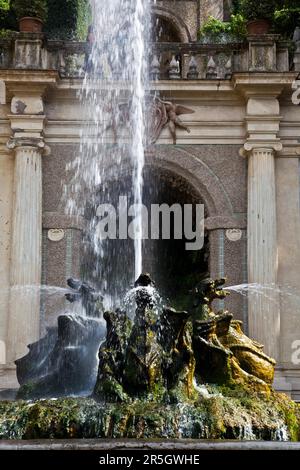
<point>219,414</point>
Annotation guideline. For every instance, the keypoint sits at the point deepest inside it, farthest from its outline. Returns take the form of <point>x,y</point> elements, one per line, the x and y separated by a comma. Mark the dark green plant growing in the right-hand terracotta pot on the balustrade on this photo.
<point>258,9</point>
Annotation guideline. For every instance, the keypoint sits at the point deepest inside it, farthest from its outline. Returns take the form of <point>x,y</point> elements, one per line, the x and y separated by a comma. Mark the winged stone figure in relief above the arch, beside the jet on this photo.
<point>166,113</point>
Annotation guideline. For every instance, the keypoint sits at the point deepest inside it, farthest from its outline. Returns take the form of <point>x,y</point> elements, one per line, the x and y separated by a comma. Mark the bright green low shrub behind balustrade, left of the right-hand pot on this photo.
<point>235,28</point>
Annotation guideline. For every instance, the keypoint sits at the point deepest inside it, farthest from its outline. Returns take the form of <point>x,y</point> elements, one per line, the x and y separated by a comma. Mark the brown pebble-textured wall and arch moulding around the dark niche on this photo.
<point>218,175</point>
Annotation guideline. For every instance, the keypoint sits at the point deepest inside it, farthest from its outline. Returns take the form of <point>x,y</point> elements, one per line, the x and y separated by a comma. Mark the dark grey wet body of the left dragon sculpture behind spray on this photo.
<point>64,362</point>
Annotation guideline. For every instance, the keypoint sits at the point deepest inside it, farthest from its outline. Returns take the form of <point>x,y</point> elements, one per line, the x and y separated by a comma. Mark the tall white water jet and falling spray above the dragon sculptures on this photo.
<point>111,158</point>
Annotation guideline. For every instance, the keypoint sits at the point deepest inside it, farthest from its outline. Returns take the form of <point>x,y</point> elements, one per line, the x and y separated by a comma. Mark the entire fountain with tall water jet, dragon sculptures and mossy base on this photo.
<point>154,372</point>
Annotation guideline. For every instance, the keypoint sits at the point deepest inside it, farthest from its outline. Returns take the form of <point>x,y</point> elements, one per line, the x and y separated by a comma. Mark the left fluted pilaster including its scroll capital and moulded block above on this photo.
<point>27,145</point>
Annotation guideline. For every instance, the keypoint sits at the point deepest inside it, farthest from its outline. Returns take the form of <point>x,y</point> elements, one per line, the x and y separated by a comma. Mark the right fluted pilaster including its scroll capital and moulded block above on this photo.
<point>262,124</point>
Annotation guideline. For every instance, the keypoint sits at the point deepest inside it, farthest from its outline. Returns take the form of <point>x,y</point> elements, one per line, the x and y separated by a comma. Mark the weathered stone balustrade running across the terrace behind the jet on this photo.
<point>188,61</point>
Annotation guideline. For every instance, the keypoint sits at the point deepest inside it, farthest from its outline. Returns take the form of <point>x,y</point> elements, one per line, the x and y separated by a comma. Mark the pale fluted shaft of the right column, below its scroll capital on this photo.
<point>264,308</point>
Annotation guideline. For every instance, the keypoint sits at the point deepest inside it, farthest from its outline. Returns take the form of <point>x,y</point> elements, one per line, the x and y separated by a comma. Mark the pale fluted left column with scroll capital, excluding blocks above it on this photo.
<point>24,312</point>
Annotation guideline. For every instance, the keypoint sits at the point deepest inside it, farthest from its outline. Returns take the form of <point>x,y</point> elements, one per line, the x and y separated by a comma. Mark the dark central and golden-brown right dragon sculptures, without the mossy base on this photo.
<point>159,357</point>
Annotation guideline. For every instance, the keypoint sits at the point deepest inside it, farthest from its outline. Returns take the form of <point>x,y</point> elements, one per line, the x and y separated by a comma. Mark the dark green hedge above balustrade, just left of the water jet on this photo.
<point>68,19</point>
